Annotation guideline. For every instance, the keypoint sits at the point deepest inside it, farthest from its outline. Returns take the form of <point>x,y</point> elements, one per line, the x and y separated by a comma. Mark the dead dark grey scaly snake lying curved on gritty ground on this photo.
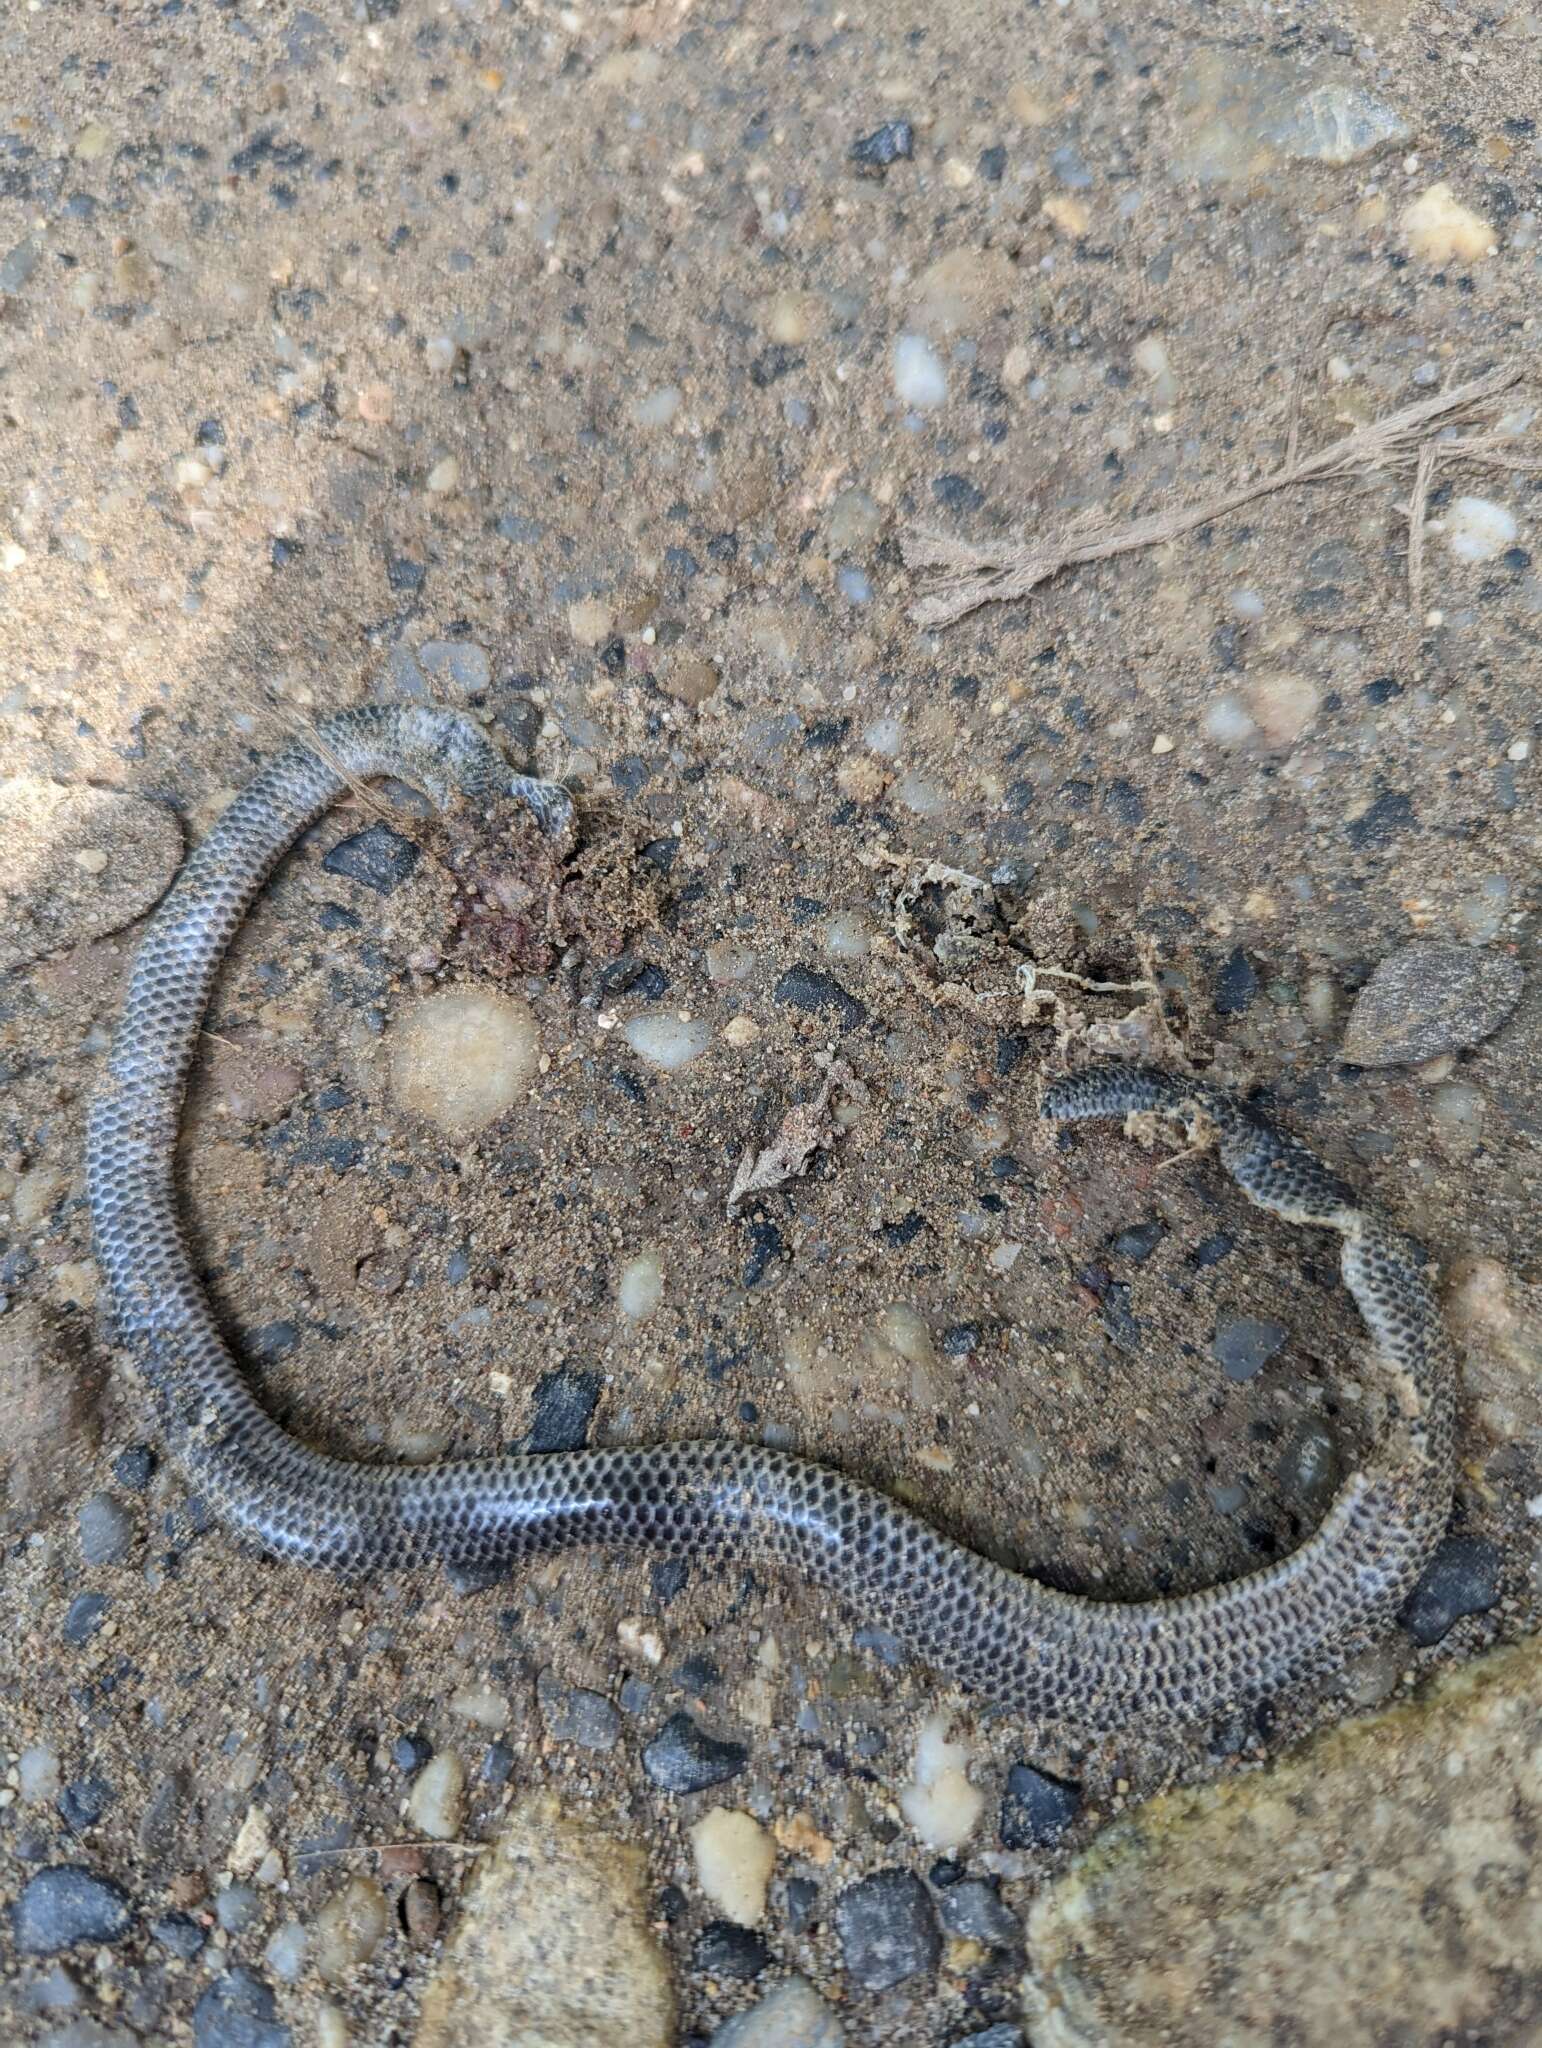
<point>1052,1658</point>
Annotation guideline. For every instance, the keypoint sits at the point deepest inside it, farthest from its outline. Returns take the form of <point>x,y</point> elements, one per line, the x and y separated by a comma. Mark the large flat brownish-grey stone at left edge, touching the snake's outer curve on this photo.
<point>48,896</point>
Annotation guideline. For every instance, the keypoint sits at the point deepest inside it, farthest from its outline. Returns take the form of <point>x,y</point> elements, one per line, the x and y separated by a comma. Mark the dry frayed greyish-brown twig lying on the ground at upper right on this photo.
<point>1000,572</point>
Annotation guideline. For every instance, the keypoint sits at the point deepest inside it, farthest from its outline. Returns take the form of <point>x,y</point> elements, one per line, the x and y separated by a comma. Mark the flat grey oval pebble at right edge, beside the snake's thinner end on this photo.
<point>1430,998</point>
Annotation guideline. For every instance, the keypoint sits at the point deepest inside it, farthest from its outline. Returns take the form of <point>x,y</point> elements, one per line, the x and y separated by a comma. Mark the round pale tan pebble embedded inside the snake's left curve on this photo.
<point>464,1058</point>
